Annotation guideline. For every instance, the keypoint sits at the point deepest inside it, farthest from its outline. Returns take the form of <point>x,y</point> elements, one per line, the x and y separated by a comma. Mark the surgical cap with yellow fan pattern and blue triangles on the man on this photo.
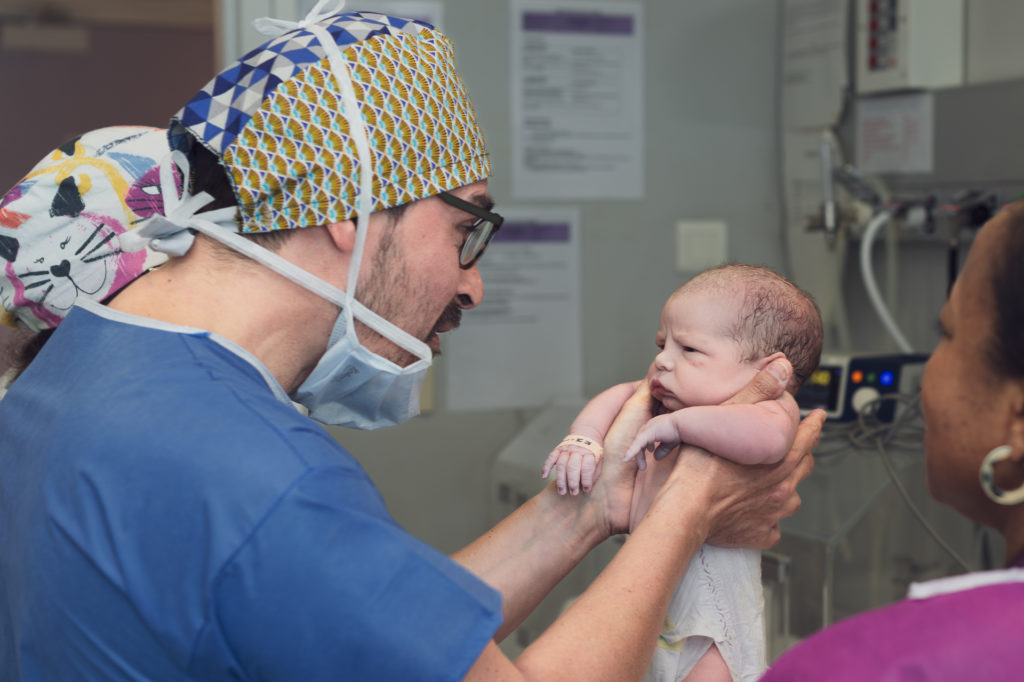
<point>276,120</point>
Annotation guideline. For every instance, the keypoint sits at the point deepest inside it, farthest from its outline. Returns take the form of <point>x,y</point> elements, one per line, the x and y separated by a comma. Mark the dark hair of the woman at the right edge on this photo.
<point>1003,353</point>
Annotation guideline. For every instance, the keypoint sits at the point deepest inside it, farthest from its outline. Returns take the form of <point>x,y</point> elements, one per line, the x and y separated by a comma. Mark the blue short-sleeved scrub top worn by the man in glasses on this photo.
<point>166,516</point>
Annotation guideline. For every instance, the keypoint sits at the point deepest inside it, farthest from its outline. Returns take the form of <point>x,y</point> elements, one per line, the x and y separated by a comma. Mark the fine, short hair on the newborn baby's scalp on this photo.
<point>777,316</point>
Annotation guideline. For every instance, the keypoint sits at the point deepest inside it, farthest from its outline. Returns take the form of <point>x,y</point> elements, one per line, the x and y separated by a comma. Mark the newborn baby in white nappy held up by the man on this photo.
<point>716,333</point>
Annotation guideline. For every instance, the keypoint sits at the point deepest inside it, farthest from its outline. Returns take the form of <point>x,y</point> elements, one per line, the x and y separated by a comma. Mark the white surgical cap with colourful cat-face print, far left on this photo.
<point>61,226</point>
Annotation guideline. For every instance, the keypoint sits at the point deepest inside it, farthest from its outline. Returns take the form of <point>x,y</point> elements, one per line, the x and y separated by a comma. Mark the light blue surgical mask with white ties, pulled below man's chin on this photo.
<point>351,386</point>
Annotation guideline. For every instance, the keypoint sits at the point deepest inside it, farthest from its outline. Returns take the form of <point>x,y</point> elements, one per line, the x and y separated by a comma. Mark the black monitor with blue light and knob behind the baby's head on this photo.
<point>846,385</point>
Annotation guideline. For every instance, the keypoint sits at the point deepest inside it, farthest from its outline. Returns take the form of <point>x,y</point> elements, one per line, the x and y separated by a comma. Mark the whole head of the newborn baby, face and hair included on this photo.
<point>727,324</point>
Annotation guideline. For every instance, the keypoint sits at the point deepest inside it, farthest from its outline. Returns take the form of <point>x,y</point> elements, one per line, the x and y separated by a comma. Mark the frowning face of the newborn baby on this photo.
<point>699,363</point>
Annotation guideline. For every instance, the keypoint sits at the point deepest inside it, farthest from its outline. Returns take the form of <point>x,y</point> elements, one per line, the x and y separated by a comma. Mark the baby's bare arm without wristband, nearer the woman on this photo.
<point>759,434</point>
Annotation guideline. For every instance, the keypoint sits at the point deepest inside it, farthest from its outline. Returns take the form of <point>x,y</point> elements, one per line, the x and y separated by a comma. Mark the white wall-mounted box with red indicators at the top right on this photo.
<point>909,45</point>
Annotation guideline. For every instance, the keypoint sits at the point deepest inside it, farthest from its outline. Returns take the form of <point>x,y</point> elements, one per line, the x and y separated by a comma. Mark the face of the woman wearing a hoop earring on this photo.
<point>961,396</point>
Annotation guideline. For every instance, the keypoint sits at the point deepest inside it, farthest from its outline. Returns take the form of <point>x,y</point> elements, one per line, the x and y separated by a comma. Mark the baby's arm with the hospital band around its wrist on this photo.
<point>577,466</point>
